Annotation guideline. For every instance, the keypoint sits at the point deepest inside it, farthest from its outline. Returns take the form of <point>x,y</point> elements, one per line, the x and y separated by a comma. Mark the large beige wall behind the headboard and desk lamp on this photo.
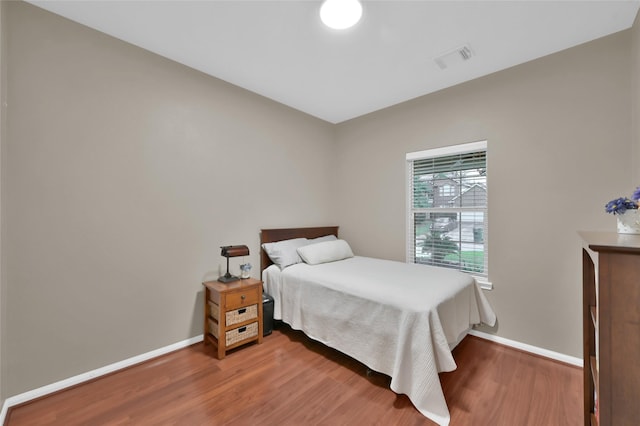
<point>125,173</point>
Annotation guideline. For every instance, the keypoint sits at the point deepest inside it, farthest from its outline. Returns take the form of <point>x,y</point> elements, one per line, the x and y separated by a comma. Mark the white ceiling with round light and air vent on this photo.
<point>280,49</point>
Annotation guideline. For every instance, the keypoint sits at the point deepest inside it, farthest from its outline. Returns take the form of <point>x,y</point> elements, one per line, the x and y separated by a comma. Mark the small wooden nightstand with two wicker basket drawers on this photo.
<point>232,314</point>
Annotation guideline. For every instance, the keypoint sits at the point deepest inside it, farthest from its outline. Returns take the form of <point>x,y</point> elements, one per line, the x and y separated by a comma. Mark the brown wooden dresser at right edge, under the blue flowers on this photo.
<point>611,328</point>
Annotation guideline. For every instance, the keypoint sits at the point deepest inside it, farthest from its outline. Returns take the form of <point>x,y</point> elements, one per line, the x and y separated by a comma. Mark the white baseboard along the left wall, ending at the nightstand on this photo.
<point>80,378</point>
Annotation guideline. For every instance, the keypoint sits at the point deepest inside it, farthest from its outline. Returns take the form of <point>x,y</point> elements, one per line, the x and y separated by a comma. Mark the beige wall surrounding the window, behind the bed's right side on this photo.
<point>558,132</point>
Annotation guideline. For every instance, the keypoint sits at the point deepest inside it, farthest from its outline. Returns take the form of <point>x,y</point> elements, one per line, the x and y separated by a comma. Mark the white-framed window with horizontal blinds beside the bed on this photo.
<point>447,208</point>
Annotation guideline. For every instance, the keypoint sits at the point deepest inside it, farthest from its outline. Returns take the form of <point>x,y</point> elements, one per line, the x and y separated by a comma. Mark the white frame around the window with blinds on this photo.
<point>410,243</point>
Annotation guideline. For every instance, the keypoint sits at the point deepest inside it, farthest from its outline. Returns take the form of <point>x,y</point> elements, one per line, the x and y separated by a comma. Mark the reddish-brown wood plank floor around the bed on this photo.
<point>292,380</point>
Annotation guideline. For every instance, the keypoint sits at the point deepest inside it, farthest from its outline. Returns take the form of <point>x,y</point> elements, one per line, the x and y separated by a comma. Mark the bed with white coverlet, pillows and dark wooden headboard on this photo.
<point>398,319</point>
